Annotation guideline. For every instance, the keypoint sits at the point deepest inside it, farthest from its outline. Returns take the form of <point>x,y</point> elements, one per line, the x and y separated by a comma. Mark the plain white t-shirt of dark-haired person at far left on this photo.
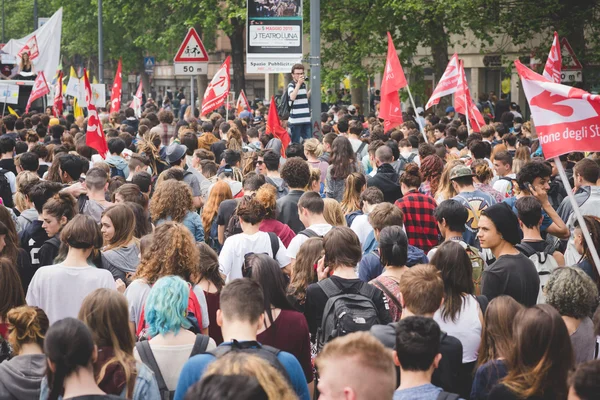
<point>60,290</point>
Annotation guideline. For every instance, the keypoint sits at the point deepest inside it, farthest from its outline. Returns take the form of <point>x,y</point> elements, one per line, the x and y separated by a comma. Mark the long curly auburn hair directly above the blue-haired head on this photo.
<point>173,251</point>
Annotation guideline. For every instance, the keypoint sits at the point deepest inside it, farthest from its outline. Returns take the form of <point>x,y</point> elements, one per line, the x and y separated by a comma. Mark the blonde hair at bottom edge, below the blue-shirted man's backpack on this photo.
<point>236,363</point>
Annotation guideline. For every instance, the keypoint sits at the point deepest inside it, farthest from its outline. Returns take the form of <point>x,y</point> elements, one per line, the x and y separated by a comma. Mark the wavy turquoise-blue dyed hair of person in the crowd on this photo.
<point>166,306</point>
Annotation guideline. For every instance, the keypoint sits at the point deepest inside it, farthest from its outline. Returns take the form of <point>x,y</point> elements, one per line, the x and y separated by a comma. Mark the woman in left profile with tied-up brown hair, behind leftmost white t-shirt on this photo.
<point>56,213</point>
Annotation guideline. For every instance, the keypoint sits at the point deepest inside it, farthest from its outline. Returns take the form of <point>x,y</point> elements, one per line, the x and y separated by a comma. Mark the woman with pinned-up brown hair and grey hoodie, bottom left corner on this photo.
<point>22,375</point>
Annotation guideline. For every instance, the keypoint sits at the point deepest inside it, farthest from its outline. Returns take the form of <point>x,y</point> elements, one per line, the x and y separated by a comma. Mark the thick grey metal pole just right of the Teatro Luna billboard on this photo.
<point>315,66</point>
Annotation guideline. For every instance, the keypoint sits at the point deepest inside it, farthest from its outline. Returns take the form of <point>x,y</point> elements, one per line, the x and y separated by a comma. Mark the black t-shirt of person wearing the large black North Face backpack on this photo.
<point>316,300</point>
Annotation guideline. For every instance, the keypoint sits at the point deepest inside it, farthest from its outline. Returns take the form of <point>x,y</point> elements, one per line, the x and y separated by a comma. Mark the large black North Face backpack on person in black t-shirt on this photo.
<point>346,311</point>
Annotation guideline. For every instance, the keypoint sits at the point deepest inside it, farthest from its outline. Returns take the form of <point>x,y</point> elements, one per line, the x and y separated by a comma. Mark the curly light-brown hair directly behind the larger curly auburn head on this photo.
<point>171,199</point>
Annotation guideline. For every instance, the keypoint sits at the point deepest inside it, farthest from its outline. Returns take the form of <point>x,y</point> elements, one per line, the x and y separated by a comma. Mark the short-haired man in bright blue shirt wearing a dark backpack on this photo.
<point>240,316</point>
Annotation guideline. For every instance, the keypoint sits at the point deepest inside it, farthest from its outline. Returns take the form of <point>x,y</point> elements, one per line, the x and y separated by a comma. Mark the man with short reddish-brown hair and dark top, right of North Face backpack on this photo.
<point>422,294</point>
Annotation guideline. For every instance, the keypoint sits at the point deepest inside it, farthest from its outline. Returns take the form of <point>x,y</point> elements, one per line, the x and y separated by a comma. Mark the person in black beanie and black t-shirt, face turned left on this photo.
<point>512,273</point>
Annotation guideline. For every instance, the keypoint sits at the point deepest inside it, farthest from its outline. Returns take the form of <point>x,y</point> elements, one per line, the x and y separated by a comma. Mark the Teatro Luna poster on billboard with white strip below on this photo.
<point>274,35</point>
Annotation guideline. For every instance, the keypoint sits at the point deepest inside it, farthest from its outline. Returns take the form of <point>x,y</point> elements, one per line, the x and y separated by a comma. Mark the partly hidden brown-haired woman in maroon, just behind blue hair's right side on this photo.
<point>208,277</point>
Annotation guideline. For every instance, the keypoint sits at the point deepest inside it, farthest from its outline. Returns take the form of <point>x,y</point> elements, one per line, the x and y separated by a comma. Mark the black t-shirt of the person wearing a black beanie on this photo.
<point>512,275</point>
